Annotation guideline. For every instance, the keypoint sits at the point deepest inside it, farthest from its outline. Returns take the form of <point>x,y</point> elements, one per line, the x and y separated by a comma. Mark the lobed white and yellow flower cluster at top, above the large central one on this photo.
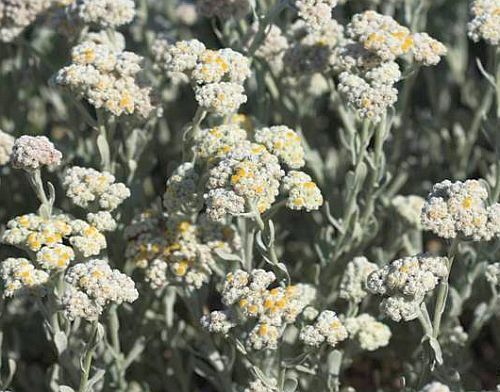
<point>217,75</point>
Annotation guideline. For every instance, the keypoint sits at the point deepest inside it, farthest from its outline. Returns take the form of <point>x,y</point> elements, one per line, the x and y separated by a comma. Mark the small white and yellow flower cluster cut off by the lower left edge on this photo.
<point>19,275</point>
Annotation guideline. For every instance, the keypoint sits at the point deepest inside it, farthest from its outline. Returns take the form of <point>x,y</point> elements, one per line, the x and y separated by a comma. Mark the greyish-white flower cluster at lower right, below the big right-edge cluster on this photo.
<point>405,282</point>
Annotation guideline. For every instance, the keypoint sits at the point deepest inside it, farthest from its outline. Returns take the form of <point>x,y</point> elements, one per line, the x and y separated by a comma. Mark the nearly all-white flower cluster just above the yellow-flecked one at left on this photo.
<point>91,189</point>
